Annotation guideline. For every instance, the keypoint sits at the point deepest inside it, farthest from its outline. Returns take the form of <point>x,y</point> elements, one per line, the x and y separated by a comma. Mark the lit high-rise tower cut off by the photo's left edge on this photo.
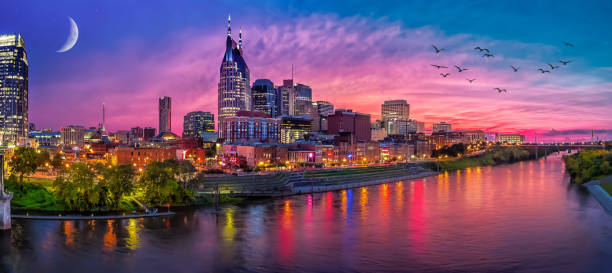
<point>13,89</point>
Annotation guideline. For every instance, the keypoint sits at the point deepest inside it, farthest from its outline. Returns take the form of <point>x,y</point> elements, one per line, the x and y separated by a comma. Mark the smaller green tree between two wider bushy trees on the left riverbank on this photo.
<point>117,182</point>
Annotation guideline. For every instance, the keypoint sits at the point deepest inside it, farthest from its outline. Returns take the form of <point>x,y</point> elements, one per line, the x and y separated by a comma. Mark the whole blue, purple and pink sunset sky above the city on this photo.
<point>355,54</point>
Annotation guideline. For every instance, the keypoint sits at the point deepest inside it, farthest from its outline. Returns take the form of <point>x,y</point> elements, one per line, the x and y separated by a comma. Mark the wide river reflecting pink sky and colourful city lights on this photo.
<point>523,217</point>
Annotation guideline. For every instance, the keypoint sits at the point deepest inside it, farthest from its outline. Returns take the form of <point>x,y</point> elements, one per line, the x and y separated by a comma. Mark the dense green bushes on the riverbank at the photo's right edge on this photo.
<point>588,165</point>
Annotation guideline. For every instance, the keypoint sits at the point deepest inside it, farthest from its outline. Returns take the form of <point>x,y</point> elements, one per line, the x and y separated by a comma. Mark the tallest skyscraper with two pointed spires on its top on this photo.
<point>234,90</point>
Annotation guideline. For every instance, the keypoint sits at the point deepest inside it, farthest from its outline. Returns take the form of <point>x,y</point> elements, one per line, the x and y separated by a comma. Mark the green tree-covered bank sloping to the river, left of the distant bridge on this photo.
<point>494,156</point>
